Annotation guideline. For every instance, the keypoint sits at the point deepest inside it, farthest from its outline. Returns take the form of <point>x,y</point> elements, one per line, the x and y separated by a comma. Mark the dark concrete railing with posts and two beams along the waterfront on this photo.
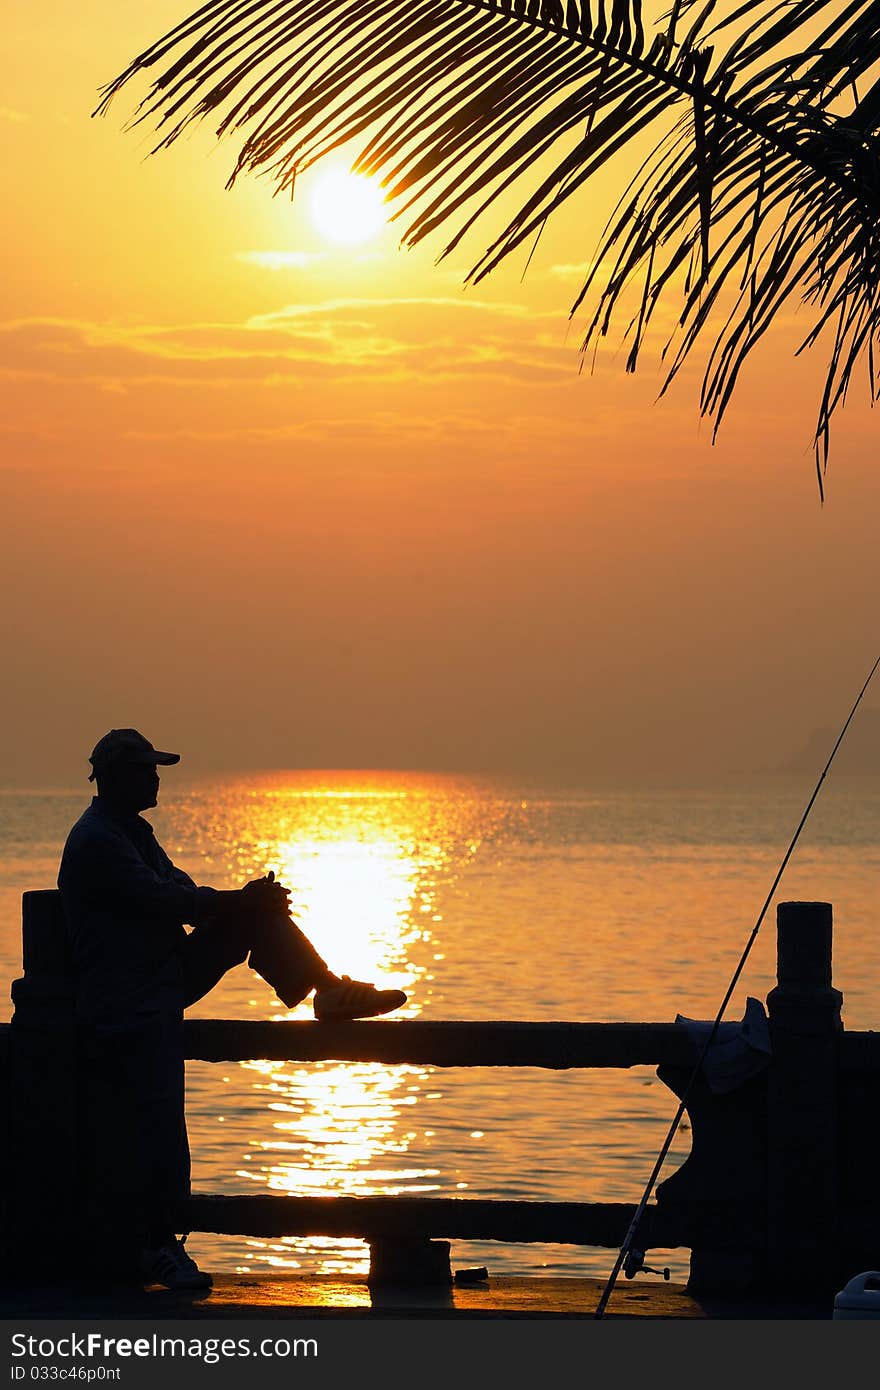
<point>781,1185</point>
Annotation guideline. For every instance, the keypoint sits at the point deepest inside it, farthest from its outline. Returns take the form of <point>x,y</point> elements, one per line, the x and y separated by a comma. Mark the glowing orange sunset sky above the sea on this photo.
<point>345,512</point>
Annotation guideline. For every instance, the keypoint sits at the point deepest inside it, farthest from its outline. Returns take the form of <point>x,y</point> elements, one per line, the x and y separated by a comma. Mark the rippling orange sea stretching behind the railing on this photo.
<point>483,899</point>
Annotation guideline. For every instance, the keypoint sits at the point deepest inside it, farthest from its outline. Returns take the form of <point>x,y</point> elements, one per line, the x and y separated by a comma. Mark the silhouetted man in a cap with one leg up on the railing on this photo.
<point>137,970</point>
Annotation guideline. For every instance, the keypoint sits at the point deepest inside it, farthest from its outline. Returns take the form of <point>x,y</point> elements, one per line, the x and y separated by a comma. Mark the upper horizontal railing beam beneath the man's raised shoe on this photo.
<point>441,1045</point>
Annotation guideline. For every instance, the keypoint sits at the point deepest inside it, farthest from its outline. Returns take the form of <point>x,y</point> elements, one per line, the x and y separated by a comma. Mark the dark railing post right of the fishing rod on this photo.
<point>803,1103</point>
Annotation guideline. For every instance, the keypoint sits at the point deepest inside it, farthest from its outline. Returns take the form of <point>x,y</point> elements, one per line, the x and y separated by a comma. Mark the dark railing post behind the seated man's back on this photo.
<point>42,1103</point>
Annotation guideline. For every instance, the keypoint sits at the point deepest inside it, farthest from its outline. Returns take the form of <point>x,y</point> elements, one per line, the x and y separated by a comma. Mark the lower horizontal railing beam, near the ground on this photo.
<point>408,1218</point>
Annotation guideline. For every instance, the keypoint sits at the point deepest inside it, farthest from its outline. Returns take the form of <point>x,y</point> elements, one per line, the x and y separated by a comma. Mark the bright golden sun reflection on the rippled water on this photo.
<point>362,878</point>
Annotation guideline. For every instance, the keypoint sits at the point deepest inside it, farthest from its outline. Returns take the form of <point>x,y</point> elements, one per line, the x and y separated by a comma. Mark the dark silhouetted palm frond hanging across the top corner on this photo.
<point>763,184</point>
